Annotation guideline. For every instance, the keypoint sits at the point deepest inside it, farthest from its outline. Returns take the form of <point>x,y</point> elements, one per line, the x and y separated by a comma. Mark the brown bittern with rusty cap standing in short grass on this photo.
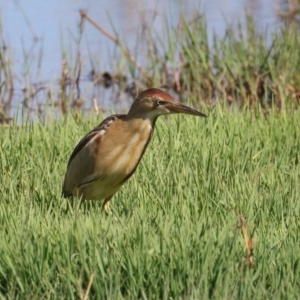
<point>106,157</point>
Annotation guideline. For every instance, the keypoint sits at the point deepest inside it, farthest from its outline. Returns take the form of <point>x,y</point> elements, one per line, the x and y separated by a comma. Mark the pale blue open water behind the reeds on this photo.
<point>55,23</point>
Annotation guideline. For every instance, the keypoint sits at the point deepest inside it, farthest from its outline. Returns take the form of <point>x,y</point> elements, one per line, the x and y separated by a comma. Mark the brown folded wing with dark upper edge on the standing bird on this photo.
<point>81,165</point>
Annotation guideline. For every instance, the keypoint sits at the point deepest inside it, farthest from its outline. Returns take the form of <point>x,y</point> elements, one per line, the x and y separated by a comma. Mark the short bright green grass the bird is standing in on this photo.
<point>177,235</point>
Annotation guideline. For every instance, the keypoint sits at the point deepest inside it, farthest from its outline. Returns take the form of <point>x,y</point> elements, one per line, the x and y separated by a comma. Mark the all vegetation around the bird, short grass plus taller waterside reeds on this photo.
<point>213,209</point>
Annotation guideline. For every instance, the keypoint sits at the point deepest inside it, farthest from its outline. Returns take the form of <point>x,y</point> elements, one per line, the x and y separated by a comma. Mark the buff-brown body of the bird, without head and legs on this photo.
<point>102,164</point>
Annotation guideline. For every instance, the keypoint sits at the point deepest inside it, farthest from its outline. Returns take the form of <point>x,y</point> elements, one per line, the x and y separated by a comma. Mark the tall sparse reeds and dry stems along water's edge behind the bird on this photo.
<point>245,67</point>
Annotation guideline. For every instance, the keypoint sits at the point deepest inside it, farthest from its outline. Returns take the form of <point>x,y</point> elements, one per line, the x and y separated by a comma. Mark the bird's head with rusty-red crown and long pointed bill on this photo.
<point>152,103</point>
